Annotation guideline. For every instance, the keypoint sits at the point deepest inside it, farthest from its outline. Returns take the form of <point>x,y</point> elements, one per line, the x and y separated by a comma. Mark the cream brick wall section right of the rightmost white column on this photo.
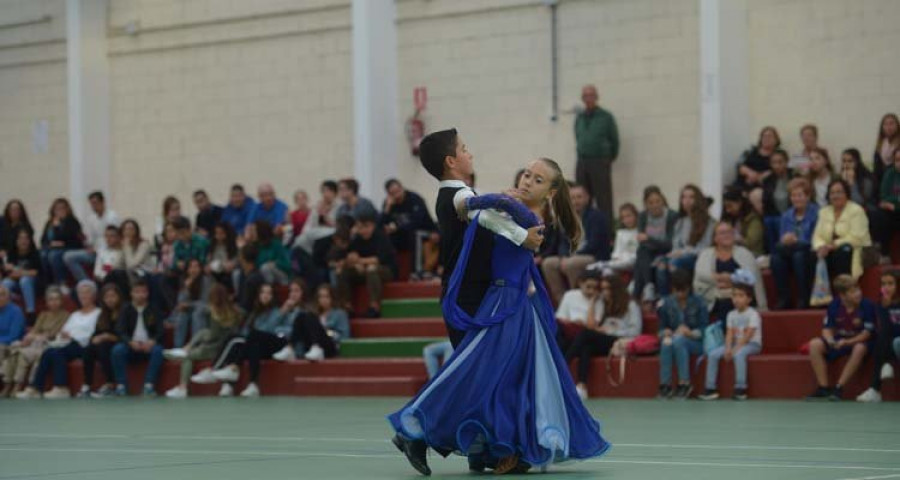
<point>829,62</point>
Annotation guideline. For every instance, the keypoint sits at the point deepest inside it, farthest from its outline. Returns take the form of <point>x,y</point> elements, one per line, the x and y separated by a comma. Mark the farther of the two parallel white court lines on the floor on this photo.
<point>227,438</point>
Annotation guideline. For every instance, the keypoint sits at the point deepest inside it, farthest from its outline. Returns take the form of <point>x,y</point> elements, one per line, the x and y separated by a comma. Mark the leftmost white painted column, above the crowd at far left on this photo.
<point>89,100</point>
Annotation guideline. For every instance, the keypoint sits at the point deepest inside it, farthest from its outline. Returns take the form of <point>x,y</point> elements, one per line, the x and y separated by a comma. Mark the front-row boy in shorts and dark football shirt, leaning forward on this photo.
<point>849,326</point>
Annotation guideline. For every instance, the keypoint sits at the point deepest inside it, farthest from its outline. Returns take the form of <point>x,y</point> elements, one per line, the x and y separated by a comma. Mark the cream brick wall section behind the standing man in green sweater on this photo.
<point>487,69</point>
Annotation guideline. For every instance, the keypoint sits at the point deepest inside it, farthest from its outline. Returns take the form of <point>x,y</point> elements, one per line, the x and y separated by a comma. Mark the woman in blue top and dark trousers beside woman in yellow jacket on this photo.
<point>793,252</point>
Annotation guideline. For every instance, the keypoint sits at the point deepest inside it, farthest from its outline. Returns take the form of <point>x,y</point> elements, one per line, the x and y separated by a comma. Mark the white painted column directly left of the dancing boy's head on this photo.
<point>376,125</point>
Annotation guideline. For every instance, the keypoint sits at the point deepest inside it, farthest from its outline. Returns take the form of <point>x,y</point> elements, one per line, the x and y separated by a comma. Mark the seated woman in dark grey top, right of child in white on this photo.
<point>656,227</point>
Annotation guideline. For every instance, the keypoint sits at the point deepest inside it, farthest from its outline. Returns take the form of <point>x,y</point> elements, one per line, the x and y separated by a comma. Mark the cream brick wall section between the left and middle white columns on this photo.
<point>210,105</point>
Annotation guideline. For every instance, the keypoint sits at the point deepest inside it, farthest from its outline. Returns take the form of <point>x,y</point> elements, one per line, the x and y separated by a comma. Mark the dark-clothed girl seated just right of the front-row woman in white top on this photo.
<point>102,342</point>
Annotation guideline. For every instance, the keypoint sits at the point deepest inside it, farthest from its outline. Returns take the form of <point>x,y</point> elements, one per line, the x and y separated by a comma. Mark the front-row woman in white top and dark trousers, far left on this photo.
<point>68,346</point>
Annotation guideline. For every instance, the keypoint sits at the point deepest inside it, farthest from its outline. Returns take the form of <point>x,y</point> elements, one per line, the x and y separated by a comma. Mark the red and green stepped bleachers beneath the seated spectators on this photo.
<point>384,357</point>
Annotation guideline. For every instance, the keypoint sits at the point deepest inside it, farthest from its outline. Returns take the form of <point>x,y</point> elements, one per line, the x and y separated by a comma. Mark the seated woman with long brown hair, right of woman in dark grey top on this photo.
<point>693,232</point>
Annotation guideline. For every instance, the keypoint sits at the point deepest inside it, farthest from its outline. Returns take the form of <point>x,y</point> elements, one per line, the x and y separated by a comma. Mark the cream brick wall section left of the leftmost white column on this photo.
<point>33,88</point>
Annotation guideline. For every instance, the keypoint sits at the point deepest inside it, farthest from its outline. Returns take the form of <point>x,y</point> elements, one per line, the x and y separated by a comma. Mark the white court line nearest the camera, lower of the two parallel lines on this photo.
<point>141,451</point>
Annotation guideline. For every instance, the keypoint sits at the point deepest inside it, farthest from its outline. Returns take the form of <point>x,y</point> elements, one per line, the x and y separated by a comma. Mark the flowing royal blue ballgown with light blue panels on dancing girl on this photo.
<point>507,389</point>
